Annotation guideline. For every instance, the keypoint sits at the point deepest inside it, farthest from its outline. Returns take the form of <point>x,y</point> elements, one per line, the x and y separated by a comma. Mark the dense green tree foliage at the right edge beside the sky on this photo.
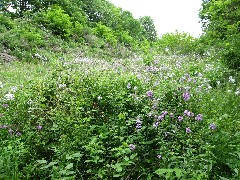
<point>221,24</point>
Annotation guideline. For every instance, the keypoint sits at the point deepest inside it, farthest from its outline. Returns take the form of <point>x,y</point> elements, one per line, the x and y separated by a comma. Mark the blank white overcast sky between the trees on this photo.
<point>168,15</point>
